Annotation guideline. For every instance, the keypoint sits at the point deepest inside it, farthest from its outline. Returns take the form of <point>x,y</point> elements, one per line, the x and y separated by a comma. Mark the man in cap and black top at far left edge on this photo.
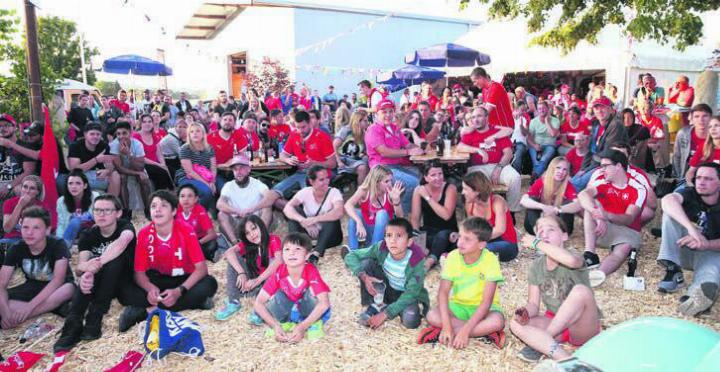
<point>13,165</point>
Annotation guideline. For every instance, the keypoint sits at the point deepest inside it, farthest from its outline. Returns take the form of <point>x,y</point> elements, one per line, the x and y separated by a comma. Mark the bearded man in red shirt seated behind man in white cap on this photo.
<point>226,142</point>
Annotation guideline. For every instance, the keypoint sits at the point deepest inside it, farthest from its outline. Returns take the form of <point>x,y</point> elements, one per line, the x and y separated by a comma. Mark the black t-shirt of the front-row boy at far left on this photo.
<point>39,267</point>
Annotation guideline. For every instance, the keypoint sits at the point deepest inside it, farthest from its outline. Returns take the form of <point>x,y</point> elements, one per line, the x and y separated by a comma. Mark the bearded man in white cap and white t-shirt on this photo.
<point>242,197</point>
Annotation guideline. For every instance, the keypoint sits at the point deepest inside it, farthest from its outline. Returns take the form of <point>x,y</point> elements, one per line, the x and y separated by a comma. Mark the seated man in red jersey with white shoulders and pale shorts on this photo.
<point>612,215</point>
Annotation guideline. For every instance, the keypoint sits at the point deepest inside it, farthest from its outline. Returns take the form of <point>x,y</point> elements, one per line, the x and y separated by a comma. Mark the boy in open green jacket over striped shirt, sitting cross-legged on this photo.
<point>397,264</point>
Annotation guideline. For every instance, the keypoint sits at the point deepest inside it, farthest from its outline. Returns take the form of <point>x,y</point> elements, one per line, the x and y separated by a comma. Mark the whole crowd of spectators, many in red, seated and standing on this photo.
<point>189,167</point>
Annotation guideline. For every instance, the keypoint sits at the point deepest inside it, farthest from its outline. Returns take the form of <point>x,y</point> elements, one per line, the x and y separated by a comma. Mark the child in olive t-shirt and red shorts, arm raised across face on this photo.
<point>557,279</point>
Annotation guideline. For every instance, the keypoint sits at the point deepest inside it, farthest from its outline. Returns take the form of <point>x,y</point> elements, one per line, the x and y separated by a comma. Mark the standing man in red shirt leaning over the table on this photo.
<point>495,99</point>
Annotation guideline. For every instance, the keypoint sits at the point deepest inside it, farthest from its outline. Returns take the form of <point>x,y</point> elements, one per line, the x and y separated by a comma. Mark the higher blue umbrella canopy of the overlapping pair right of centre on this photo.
<point>447,55</point>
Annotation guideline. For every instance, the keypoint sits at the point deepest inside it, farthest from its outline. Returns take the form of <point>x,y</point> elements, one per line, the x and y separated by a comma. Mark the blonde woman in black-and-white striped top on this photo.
<point>198,165</point>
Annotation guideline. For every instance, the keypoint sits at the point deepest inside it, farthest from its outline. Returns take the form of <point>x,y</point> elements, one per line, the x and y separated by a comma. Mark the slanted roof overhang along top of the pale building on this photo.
<point>212,16</point>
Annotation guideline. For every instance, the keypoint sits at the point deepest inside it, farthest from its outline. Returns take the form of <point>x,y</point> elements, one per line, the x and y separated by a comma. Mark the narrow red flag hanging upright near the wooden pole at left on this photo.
<point>50,166</point>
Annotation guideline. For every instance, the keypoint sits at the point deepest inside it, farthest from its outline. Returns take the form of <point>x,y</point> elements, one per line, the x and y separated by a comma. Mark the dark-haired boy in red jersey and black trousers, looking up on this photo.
<point>170,269</point>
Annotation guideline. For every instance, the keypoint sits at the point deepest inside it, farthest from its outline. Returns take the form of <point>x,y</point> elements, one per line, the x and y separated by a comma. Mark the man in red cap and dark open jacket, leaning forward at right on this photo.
<point>607,129</point>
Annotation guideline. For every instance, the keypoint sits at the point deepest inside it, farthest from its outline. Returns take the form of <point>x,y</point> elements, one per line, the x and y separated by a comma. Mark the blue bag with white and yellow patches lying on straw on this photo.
<point>168,332</point>
